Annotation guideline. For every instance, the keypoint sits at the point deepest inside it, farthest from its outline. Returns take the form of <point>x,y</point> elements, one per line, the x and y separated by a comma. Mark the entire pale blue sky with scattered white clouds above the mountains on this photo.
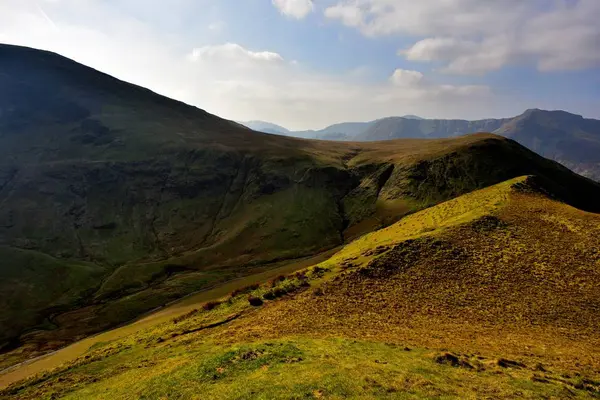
<point>307,64</point>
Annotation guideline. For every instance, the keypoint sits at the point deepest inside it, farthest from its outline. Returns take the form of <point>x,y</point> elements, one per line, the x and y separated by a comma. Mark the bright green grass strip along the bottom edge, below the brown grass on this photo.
<point>297,368</point>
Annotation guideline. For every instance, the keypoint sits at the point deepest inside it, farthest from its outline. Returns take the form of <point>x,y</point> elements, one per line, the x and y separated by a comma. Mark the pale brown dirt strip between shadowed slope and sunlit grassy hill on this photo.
<point>71,352</point>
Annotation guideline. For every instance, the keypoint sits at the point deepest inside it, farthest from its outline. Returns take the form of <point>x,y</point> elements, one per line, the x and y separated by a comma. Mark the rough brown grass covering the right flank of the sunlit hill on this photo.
<point>522,283</point>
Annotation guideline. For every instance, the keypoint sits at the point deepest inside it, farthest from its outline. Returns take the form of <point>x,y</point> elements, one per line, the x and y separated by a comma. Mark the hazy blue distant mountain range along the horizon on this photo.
<point>567,138</point>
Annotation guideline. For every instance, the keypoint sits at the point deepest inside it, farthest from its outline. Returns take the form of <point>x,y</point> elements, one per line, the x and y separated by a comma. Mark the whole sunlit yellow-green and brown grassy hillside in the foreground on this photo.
<point>420,309</point>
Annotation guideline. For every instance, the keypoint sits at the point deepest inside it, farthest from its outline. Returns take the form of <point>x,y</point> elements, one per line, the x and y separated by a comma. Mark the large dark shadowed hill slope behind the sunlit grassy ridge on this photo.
<point>135,200</point>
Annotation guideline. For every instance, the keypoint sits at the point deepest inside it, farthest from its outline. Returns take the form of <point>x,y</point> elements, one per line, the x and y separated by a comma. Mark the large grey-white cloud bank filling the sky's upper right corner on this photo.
<point>476,37</point>
